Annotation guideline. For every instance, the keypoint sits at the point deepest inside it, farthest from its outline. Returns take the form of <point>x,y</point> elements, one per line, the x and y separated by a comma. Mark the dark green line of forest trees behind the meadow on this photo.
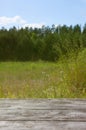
<point>46,43</point>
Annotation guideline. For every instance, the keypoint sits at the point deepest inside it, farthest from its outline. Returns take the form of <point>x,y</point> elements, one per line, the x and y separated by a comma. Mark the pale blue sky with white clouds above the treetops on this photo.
<point>36,13</point>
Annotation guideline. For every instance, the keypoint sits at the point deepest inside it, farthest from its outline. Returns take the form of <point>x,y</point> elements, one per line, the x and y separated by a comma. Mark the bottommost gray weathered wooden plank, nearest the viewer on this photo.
<point>41,125</point>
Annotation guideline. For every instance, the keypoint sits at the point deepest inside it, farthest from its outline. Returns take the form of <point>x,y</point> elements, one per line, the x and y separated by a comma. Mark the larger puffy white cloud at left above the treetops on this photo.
<point>11,20</point>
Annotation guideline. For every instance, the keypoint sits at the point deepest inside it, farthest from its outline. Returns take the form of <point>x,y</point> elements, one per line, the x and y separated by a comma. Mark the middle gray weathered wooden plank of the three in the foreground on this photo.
<point>32,115</point>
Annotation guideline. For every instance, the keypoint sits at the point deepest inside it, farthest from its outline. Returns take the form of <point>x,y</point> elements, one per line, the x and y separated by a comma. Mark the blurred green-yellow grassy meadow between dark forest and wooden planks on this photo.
<point>64,79</point>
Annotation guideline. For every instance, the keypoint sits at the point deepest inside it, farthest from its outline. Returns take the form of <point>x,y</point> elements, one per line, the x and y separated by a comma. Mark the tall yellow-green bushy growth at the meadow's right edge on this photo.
<point>76,74</point>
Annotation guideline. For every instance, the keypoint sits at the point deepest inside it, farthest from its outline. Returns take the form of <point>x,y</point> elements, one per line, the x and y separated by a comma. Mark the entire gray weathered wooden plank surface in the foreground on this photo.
<point>42,114</point>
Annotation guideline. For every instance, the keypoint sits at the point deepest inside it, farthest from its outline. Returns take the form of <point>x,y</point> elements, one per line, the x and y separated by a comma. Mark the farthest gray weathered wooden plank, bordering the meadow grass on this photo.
<point>49,104</point>
